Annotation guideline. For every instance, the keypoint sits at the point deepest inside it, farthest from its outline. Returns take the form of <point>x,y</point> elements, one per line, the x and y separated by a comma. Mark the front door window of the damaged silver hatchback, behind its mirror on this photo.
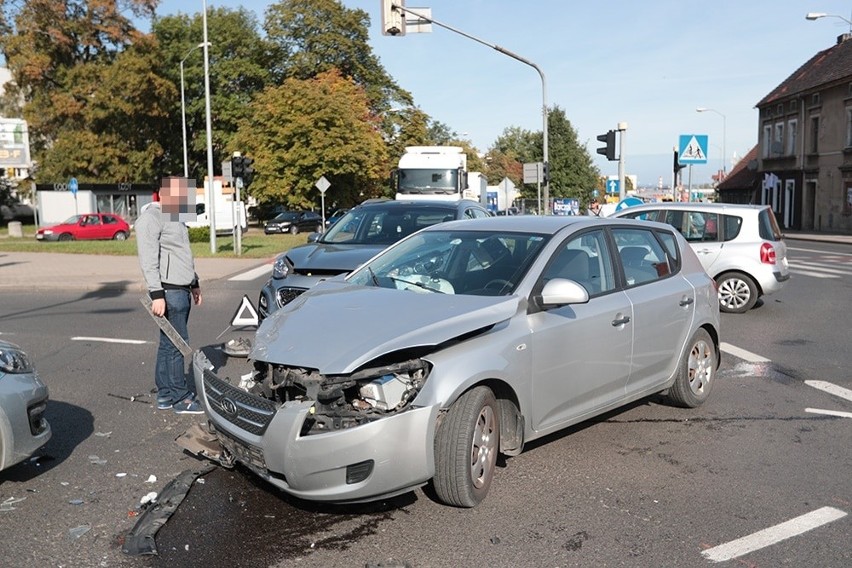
<point>584,259</point>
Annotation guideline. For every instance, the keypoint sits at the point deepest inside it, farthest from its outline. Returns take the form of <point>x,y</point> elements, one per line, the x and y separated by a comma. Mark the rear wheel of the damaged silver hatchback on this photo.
<point>696,372</point>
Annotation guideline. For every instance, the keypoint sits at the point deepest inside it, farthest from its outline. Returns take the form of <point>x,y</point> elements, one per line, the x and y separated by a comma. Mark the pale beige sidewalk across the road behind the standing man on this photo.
<point>51,271</point>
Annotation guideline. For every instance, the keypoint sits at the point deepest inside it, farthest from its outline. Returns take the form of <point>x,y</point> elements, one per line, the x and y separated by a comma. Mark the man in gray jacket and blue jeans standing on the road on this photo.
<point>169,271</point>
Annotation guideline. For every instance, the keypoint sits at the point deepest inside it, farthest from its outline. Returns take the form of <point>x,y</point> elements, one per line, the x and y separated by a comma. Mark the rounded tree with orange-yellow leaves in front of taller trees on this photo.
<point>305,129</point>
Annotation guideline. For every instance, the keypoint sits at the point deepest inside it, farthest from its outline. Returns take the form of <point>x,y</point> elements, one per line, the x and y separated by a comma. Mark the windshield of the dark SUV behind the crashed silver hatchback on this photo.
<point>384,225</point>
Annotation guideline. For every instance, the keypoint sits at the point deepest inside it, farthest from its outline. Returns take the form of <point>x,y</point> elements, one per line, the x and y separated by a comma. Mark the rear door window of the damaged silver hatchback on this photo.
<point>643,258</point>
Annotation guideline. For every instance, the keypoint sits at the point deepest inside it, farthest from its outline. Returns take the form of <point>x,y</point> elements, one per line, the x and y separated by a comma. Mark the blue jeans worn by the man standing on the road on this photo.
<point>170,372</point>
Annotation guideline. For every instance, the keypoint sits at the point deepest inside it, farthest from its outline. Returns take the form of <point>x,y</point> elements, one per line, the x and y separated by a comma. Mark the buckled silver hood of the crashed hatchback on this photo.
<point>336,327</point>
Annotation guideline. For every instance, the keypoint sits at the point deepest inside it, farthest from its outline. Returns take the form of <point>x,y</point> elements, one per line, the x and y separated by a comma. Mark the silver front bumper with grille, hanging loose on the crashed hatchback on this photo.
<point>380,459</point>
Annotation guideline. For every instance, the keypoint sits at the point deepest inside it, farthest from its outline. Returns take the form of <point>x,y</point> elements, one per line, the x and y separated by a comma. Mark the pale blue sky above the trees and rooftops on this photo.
<point>648,64</point>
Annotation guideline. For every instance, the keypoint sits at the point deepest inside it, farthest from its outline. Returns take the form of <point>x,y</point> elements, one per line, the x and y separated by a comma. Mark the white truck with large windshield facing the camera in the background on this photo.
<point>437,173</point>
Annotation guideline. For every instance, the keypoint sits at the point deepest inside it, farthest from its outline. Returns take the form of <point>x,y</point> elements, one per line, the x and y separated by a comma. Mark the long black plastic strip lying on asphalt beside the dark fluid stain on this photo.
<point>140,540</point>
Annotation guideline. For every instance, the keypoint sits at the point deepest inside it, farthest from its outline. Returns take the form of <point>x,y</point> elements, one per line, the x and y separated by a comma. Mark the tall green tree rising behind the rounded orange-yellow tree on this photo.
<point>314,36</point>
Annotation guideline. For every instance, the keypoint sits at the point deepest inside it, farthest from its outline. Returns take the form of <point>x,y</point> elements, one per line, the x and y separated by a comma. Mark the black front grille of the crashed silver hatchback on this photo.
<point>244,410</point>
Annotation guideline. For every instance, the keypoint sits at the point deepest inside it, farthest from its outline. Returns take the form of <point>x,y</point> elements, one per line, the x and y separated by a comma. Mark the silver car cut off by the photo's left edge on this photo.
<point>23,401</point>
